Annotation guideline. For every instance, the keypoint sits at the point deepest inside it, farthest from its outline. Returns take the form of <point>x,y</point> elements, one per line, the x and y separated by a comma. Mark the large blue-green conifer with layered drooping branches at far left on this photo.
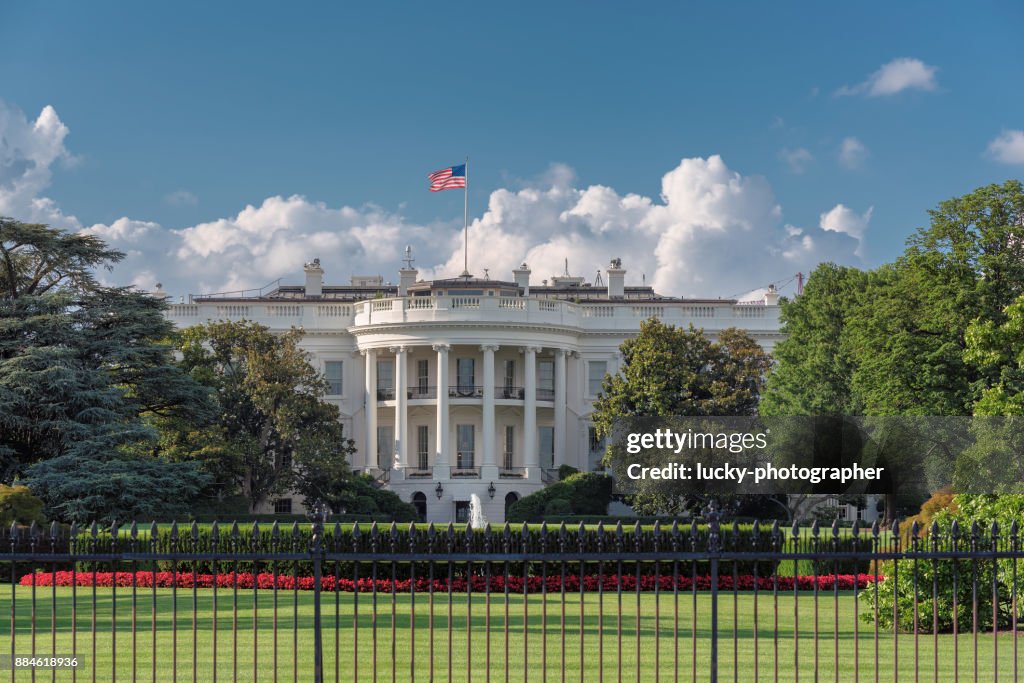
<point>83,369</point>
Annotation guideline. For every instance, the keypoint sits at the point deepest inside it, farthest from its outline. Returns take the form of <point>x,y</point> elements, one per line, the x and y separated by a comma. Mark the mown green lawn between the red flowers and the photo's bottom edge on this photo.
<point>543,657</point>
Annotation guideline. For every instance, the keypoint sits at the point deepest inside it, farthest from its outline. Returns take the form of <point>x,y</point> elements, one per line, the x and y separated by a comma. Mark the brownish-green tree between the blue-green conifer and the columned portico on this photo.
<point>275,432</point>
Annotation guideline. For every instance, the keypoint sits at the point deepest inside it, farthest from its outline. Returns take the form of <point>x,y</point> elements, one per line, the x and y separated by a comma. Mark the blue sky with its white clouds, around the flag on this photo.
<point>813,132</point>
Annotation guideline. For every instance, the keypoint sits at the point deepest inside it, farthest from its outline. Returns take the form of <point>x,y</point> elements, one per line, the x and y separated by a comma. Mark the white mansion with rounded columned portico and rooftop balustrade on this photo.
<point>471,386</point>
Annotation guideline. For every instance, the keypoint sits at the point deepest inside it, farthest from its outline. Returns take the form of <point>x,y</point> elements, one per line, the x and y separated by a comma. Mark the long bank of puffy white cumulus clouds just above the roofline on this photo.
<point>710,232</point>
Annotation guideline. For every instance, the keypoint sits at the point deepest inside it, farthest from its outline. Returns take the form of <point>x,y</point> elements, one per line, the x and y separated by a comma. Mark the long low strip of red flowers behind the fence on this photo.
<point>459,585</point>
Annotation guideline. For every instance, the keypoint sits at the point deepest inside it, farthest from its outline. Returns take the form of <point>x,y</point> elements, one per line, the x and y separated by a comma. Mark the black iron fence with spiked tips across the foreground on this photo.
<point>313,603</point>
